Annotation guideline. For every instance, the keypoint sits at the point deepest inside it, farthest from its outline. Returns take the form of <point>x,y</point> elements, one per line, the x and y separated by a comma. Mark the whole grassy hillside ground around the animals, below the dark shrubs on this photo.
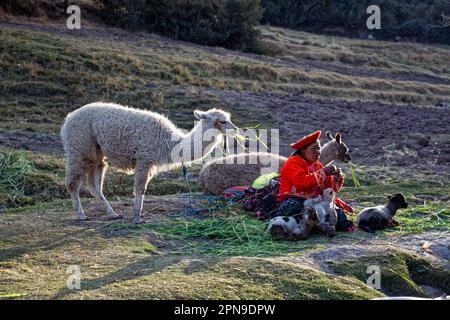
<point>390,100</point>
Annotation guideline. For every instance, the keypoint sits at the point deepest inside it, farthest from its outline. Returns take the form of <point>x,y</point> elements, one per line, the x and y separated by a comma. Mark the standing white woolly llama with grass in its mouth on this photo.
<point>130,139</point>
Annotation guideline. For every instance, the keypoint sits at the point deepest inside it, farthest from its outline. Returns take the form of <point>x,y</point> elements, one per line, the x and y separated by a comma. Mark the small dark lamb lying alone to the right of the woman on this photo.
<point>377,218</point>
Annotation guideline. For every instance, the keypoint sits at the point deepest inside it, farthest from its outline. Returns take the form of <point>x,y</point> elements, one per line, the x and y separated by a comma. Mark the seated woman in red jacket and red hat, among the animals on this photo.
<point>303,177</point>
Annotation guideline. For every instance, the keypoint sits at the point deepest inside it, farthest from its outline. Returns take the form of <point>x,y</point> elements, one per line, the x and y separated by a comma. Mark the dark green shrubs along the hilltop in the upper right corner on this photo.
<point>412,19</point>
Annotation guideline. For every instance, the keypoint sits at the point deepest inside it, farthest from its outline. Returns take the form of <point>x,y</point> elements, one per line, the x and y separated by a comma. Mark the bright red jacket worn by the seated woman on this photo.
<point>298,178</point>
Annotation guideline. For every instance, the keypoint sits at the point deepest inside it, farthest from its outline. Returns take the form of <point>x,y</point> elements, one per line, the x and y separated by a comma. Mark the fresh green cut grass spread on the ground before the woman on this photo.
<point>228,233</point>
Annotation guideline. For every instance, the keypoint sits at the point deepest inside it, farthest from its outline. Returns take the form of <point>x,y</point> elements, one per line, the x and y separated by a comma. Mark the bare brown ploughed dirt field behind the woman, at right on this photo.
<point>369,129</point>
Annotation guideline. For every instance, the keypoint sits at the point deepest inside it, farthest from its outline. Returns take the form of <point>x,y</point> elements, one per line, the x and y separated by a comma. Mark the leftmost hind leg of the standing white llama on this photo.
<point>75,171</point>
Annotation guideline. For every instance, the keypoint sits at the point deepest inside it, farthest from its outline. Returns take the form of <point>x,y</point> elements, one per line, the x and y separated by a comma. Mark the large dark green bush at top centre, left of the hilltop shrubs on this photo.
<point>227,23</point>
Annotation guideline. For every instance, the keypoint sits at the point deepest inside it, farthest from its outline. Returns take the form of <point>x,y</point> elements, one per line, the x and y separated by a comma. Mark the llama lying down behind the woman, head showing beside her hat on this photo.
<point>240,169</point>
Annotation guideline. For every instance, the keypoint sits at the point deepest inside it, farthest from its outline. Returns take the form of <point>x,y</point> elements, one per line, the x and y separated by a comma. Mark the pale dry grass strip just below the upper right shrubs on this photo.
<point>375,55</point>
